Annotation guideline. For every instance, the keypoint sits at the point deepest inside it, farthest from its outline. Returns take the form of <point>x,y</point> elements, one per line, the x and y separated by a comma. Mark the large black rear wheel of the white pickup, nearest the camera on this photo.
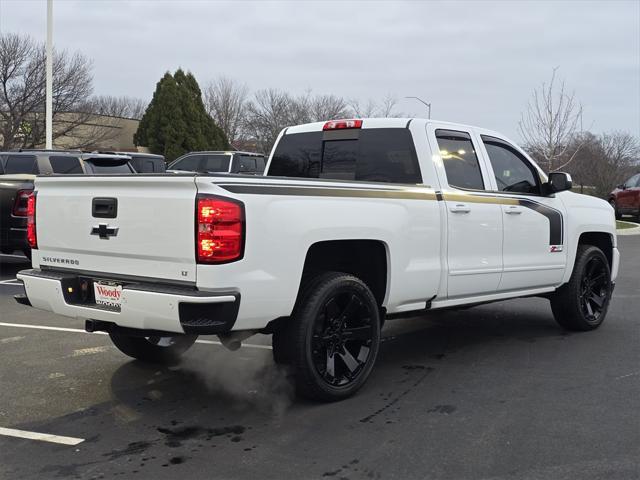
<point>332,338</point>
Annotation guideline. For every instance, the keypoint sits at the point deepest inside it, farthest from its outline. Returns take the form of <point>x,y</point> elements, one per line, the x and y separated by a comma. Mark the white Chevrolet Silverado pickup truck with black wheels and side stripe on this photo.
<point>354,221</point>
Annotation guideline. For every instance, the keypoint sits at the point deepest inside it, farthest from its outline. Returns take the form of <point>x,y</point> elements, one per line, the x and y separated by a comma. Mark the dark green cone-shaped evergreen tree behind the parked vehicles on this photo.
<point>176,121</point>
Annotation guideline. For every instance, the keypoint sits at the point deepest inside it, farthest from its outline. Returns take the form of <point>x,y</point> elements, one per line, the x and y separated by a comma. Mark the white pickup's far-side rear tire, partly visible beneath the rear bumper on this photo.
<point>154,349</point>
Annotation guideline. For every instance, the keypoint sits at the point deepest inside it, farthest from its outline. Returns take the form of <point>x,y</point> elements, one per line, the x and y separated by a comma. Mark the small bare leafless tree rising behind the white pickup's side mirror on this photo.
<point>551,121</point>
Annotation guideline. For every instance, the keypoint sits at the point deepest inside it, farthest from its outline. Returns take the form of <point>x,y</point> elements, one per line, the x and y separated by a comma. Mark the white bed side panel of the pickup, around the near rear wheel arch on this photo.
<point>280,229</point>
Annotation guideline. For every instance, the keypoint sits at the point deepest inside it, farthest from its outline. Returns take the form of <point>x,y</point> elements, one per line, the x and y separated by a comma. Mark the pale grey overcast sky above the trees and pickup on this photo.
<point>477,62</point>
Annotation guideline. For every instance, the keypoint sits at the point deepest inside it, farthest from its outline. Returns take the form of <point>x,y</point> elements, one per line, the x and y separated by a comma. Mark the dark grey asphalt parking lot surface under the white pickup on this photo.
<point>497,391</point>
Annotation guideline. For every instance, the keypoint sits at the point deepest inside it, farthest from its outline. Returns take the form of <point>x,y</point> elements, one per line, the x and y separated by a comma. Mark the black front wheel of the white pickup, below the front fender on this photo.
<point>582,303</point>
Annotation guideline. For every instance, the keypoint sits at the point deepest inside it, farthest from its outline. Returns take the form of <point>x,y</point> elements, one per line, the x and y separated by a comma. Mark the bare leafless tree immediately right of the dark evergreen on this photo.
<point>226,101</point>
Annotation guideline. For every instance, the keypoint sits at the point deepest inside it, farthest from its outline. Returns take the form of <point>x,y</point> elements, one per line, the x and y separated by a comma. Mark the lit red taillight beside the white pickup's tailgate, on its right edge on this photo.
<point>219,230</point>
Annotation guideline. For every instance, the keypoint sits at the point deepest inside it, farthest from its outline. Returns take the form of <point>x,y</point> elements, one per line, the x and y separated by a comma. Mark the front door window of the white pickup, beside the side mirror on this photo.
<point>513,172</point>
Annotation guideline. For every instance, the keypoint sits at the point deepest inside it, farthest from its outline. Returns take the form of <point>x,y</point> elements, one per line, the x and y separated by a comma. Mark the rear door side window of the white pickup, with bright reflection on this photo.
<point>459,159</point>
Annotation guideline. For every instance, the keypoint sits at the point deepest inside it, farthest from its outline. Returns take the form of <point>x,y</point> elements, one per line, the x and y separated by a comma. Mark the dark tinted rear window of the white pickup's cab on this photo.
<point>373,155</point>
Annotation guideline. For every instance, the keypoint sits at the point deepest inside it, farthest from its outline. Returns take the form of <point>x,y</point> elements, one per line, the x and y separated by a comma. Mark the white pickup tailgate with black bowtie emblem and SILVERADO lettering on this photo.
<point>136,226</point>
